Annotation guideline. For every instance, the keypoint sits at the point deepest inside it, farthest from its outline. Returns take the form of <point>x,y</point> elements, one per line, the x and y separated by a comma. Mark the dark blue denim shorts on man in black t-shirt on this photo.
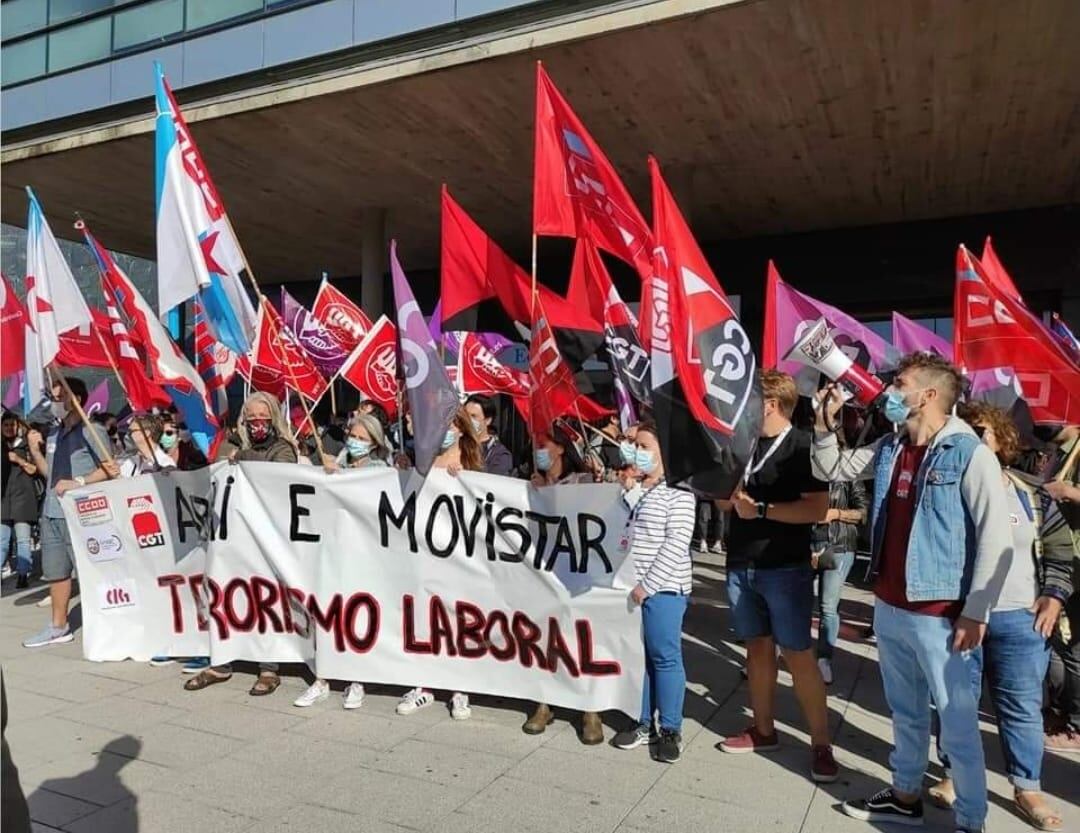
<point>777,603</point>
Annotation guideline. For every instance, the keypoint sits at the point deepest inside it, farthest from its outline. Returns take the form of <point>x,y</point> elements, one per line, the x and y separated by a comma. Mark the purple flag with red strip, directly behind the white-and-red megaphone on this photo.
<point>796,312</point>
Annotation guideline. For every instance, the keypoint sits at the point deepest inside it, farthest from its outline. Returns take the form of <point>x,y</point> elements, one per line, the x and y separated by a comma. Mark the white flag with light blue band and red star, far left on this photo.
<point>53,300</point>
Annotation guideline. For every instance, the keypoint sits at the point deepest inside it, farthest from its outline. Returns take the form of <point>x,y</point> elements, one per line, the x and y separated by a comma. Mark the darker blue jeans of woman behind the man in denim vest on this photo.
<point>1016,657</point>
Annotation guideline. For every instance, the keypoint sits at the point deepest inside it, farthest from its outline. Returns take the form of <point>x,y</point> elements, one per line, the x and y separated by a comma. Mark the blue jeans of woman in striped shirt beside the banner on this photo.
<point>665,676</point>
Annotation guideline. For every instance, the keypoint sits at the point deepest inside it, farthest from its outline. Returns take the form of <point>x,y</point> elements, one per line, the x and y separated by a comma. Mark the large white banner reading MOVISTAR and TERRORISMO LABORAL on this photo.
<point>478,584</point>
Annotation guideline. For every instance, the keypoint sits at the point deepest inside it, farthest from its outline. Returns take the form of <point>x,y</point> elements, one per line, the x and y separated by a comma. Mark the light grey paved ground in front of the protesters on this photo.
<point>118,748</point>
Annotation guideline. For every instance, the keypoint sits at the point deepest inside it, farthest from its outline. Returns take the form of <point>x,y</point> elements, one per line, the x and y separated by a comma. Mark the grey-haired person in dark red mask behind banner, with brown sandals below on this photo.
<point>264,438</point>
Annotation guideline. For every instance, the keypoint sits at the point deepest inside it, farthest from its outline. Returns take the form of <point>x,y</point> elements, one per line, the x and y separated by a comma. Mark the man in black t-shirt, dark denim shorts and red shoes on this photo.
<point>771,582</point>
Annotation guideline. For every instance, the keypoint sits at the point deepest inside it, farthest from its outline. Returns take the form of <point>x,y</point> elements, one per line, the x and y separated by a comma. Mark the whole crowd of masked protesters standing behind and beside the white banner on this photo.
<point>970,528</point>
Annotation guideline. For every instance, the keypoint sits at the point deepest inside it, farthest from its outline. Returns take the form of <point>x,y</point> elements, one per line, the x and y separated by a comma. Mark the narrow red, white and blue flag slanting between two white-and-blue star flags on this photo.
<point>166,365</point>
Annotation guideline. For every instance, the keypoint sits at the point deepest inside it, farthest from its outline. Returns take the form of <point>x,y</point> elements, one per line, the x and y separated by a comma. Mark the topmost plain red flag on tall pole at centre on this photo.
<point>577,193</point>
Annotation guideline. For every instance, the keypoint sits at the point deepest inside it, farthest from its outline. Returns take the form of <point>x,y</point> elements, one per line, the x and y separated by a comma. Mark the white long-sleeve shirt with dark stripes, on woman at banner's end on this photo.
<point>661,528</point>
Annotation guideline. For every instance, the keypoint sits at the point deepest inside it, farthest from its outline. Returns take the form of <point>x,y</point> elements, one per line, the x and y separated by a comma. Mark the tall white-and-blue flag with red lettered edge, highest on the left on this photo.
<point>198,254</point>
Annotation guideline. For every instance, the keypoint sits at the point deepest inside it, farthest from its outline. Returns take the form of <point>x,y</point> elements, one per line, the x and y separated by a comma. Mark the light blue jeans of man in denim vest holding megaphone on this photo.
<point>919,664</point>
